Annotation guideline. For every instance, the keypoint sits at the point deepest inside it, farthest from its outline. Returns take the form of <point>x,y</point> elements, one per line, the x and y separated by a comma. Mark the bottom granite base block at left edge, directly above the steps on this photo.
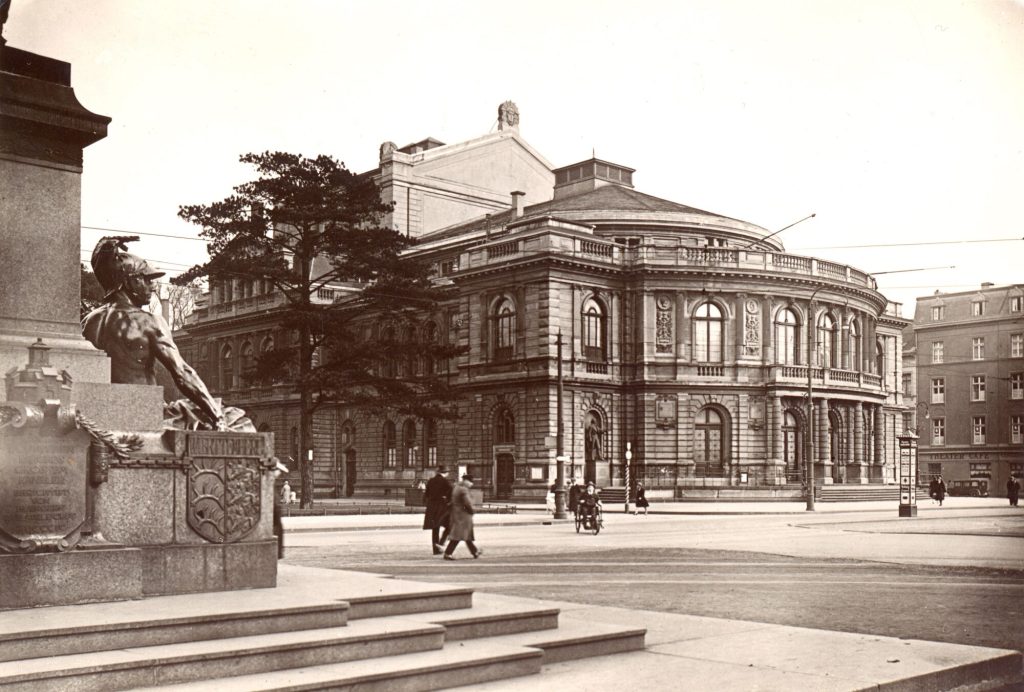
<point>67,579</point>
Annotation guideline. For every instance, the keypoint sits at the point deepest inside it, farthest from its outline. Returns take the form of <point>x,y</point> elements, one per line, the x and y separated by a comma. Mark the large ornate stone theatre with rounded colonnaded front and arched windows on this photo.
<point>685,339</point>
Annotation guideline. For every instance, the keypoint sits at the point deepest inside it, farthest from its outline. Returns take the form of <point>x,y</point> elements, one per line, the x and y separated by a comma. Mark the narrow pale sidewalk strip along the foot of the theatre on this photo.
<point>528,514</point>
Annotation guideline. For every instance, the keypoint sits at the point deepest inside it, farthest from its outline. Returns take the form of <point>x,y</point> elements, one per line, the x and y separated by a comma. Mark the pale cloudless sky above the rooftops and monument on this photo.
<point>899,123</point>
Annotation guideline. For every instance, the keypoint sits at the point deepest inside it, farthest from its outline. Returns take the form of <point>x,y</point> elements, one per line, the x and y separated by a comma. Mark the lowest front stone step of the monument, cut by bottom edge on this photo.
<point>455,665</point>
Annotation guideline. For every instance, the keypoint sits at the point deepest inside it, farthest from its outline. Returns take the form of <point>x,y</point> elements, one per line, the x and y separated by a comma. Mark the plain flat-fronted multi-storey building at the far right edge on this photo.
<point>970,386</point>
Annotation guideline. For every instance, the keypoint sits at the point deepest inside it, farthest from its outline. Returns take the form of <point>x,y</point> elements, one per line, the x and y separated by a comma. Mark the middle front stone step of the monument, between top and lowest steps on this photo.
<point>206,661</point>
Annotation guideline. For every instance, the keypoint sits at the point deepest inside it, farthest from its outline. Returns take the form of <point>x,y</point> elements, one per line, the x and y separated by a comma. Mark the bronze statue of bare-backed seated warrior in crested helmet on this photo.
<point>136,340</point>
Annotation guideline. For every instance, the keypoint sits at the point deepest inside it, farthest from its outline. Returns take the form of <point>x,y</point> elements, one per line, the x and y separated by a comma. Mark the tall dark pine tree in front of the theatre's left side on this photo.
<point>310,226</point>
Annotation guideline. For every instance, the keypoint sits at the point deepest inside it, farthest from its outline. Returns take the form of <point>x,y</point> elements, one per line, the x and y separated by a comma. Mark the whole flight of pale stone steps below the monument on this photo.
<point>317,630</point>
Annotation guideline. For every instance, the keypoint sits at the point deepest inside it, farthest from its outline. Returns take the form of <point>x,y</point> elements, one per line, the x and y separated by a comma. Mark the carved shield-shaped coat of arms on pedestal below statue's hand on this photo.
<point>224,498</point>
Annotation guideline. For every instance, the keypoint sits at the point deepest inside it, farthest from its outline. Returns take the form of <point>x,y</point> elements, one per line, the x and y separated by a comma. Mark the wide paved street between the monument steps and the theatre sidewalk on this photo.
<point>955,575</point>
